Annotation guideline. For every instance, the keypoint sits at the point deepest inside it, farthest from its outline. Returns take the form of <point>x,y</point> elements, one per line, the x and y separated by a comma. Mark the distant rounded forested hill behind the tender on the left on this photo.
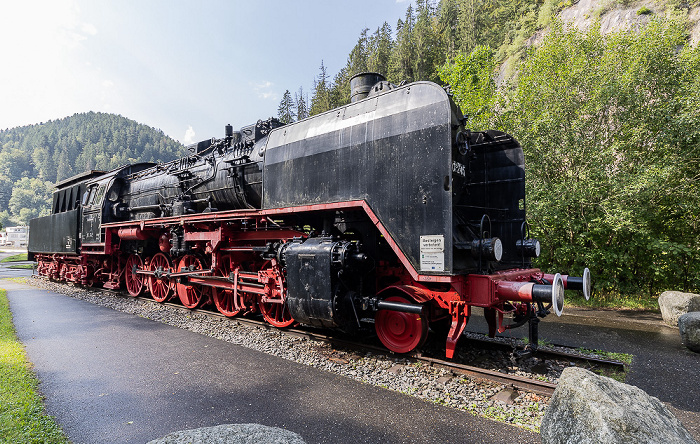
<point>34,157</point>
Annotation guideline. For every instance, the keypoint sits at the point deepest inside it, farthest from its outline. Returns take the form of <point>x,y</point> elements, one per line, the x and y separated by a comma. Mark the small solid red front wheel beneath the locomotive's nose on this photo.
<point>400,332</point>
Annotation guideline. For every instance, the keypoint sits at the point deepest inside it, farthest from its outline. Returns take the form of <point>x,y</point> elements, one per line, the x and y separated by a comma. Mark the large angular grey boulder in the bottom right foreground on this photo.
<point>587,408</point>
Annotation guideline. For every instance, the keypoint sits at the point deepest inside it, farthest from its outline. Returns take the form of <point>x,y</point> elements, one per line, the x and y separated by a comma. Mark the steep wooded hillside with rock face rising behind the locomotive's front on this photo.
<point>608,114</point>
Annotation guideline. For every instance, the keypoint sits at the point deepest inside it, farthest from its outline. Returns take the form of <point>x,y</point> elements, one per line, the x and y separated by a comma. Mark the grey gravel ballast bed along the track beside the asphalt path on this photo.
<point>392,372</point>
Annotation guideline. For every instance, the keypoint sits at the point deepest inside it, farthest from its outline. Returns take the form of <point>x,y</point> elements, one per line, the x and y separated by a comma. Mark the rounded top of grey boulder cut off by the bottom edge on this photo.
<point>232,434</point>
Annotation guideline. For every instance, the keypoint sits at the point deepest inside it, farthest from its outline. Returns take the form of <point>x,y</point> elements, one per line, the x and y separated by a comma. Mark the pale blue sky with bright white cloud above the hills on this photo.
<point>187,68</point>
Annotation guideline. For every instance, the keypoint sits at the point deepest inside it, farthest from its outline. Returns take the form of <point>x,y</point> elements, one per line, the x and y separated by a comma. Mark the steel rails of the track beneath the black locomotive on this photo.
<point>519,382</point>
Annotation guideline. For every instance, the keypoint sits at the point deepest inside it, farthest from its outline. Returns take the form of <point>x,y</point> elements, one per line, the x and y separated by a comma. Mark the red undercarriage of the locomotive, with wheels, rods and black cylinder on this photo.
<point>248,263</point>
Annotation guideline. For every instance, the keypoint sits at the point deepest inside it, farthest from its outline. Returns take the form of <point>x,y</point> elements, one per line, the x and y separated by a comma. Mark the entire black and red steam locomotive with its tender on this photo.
<point>384,214</point>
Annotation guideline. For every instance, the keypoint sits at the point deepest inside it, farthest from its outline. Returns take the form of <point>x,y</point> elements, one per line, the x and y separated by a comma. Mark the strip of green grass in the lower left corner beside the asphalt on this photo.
<point>22,415</point>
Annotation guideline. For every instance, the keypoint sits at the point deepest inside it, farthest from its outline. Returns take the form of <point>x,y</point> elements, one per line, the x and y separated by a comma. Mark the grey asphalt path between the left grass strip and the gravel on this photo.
<point>113,377</point>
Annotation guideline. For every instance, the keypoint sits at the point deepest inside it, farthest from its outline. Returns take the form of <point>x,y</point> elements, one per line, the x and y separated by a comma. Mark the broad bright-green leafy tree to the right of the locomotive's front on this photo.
<point>609,125</point>
